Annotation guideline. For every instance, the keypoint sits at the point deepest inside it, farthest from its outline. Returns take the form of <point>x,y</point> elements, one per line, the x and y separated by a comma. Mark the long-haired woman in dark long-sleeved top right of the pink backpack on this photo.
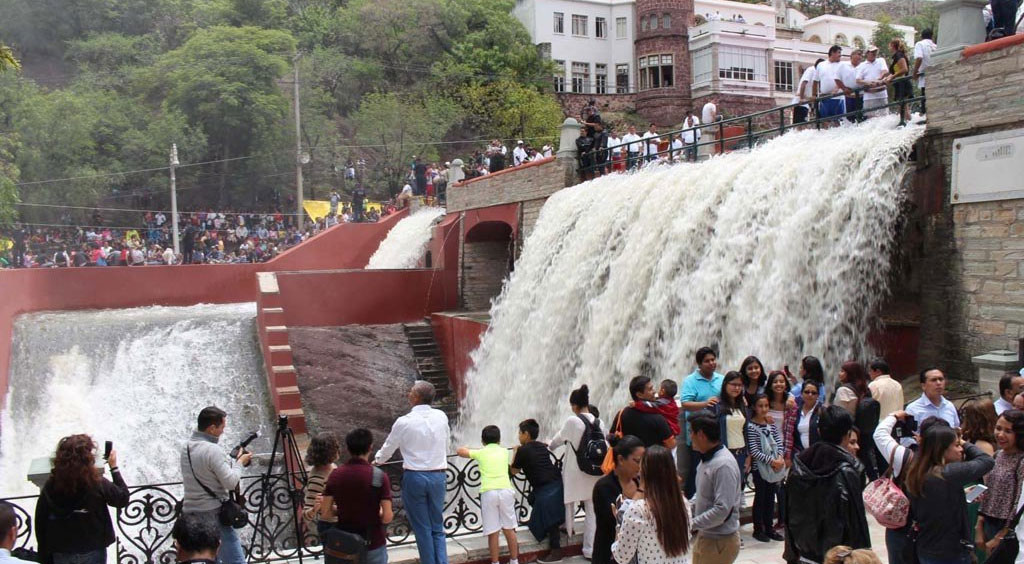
<point>935,484</point>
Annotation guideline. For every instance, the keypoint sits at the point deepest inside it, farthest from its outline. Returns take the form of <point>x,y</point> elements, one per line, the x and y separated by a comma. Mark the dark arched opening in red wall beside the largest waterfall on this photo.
<point>488,256</point>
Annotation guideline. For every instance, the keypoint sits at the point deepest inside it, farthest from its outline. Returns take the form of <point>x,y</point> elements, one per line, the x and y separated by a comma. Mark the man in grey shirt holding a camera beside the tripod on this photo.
<point>209,479</point>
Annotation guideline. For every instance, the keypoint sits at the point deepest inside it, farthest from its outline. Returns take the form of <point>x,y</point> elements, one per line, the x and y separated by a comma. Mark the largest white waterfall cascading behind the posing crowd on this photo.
<point>780,252</point>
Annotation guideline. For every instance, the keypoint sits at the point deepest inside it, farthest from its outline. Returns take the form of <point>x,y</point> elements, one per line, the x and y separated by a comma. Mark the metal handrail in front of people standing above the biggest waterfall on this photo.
<point>750,118</point>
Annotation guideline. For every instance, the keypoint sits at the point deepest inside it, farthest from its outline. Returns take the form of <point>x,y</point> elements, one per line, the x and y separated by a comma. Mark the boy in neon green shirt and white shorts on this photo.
<point>497,496</point>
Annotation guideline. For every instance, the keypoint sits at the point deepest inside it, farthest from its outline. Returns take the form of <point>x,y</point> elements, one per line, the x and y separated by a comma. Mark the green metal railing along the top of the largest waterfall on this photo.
<point>751,137</point>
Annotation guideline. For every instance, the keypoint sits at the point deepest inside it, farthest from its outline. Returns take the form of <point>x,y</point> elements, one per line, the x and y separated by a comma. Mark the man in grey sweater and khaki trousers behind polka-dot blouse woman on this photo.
<point>716,506</point>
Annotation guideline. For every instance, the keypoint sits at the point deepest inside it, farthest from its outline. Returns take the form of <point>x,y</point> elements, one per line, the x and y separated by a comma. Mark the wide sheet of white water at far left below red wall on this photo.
<point>138,377</point>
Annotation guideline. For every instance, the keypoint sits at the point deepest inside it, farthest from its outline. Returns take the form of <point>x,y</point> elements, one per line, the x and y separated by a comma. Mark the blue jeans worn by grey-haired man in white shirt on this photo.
<point>423,497</point>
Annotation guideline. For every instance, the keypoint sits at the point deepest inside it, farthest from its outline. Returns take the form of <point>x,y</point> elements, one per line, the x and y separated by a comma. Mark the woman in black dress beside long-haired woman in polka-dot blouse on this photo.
<point>628,453</point>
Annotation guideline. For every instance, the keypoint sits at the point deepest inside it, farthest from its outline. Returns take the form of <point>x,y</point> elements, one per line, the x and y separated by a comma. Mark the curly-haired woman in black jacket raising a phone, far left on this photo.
<point>73,525</point>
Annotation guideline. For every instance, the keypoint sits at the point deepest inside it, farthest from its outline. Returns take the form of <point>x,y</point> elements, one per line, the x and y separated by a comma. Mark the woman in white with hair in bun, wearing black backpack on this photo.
<point>579,487</point>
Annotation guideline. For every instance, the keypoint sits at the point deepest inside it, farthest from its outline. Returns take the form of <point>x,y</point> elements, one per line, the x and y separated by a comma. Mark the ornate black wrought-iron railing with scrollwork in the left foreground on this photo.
<point>144,528</point>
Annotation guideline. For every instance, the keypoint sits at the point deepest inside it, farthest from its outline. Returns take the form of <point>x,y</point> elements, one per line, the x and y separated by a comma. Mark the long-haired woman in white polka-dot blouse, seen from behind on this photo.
<point>656,526</point>
